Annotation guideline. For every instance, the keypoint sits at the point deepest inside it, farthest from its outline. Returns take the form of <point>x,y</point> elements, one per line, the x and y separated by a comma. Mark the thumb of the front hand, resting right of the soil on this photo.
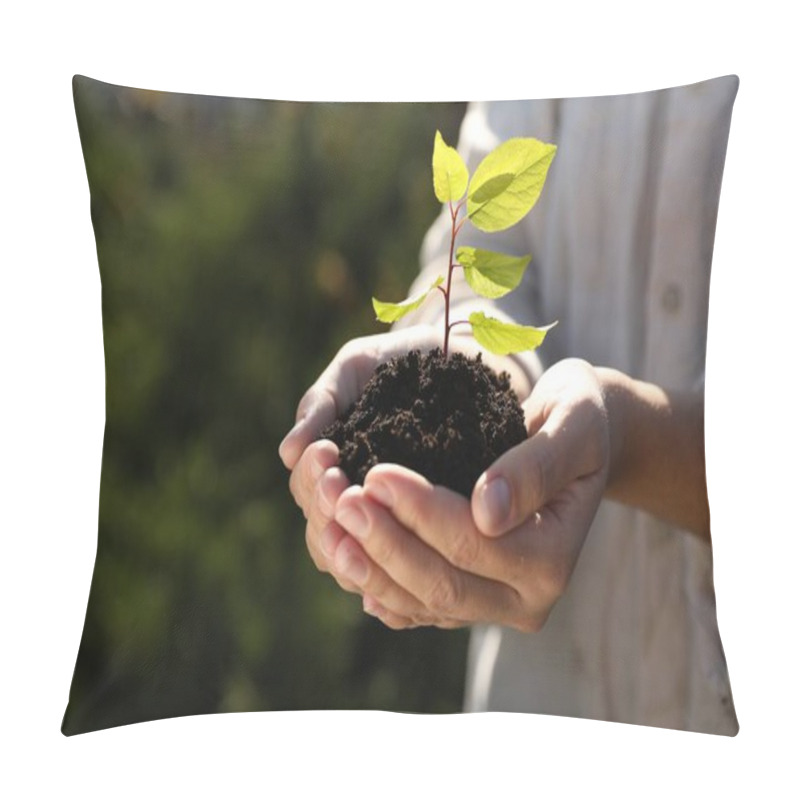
<point>526,477</point>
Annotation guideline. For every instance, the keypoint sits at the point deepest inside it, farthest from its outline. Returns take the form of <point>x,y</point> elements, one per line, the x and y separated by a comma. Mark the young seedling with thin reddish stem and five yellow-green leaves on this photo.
<point>503,189</point>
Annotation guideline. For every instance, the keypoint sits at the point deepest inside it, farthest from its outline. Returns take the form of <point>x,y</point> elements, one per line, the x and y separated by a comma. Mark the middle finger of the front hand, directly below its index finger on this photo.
<point>447,593</point>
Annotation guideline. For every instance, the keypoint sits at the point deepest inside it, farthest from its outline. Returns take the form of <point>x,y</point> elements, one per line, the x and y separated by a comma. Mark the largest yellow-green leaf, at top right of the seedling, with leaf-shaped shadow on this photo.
<point>507,183</point>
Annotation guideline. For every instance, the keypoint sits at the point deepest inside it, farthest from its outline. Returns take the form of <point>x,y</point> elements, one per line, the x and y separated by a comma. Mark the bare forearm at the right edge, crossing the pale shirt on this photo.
<point>657,450</point>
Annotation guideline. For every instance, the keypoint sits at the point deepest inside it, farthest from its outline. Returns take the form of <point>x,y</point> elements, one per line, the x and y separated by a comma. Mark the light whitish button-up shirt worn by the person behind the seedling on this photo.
<point>621,240</point>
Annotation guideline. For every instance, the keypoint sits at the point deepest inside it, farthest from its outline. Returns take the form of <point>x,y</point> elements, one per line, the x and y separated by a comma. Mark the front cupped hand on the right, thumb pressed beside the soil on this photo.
<point>423,555</point>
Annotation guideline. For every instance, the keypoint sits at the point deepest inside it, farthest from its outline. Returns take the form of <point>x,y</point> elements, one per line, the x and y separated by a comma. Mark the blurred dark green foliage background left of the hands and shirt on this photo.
<point>239,243</point>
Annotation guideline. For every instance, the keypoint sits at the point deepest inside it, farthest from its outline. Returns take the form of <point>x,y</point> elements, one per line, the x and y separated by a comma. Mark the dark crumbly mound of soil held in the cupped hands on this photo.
<point>447,419</point>
